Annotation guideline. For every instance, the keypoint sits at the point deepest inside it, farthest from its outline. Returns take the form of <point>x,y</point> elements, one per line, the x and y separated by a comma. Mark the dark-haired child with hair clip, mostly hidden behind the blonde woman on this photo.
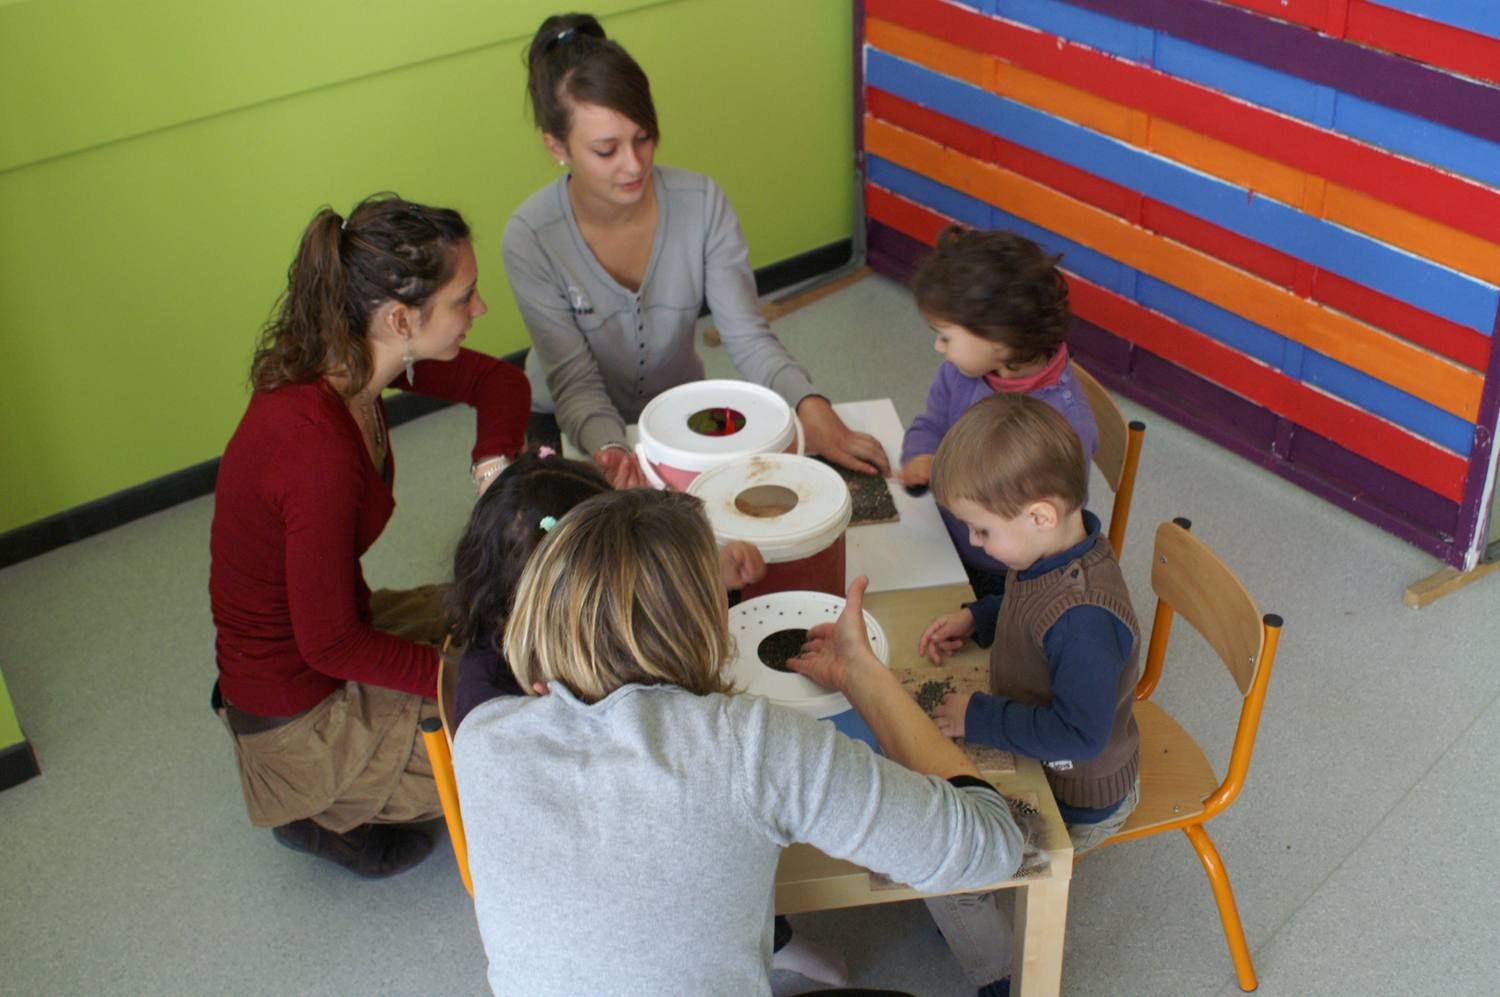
<point>508,522</point>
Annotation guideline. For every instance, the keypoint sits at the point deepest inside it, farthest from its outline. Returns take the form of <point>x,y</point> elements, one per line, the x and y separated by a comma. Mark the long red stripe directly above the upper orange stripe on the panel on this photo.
<point>1415,187</point>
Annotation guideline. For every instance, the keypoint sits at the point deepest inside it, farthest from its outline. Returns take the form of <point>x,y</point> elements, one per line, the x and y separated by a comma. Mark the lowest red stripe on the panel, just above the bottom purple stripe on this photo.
<point>1360,433</point>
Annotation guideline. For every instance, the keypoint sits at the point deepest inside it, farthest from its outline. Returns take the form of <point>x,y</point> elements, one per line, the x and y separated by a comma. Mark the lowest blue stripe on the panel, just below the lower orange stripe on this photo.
<point>1274,350</point>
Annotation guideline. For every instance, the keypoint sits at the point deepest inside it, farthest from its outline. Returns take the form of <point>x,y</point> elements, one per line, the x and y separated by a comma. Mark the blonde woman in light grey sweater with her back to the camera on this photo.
<point>628,816</point>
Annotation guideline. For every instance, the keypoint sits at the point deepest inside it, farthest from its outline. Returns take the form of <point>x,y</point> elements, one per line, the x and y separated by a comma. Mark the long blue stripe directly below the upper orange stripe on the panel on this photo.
<point>1402,275</point>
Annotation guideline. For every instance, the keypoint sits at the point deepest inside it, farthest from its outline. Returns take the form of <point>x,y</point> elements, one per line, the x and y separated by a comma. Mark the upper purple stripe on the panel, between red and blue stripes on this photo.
<point>1396,83</point>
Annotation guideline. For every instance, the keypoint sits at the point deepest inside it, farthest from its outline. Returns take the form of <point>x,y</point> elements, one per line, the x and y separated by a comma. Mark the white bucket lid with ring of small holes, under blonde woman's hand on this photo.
<point>755,620</point>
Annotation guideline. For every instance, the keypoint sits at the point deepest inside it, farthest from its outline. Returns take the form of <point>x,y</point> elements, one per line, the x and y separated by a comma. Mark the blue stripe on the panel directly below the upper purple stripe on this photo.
<point>1381,127</point>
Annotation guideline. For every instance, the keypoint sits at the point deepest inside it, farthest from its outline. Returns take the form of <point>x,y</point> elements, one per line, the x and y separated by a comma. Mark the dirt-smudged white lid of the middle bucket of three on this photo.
<point>820,516</point>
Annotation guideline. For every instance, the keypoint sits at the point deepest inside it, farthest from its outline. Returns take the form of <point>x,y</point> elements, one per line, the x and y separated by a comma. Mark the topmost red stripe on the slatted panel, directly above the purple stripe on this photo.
<point>1397,32</point>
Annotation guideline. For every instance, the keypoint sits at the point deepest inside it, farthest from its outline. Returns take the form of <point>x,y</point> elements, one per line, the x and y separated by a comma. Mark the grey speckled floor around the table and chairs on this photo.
<point>1363,849</point>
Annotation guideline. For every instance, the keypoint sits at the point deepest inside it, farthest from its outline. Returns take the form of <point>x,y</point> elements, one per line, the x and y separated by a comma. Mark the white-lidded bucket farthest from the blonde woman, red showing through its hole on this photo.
<point>697,427</point>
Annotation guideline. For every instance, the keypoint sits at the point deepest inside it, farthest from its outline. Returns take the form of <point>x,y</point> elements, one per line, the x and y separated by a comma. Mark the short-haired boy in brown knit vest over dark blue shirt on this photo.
<point>1064,642</point>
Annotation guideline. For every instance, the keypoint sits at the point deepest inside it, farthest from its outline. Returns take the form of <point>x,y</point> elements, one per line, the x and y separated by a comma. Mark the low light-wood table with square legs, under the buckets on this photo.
<point>811,881</point>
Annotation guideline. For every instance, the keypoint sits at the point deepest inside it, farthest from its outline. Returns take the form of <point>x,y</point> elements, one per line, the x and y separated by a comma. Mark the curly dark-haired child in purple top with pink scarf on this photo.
<point>1000,308</point>
